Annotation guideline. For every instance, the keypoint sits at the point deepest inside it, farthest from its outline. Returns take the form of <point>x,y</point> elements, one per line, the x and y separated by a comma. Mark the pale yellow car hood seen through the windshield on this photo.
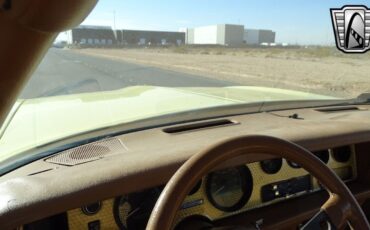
<point>35,122</point>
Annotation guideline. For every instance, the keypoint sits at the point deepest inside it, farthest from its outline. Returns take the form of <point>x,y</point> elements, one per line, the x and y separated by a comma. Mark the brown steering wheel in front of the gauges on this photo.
<point>341,207</point>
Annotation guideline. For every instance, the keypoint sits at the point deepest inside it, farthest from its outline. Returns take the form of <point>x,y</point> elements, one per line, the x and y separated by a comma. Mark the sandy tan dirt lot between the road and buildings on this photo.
<point>319,70</point>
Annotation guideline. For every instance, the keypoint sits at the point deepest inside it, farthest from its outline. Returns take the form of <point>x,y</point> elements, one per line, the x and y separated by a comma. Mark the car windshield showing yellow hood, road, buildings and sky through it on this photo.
<point>133,60</point>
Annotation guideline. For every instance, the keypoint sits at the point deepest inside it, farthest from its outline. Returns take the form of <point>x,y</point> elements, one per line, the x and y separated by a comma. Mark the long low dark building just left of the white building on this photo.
<point>141,37</point>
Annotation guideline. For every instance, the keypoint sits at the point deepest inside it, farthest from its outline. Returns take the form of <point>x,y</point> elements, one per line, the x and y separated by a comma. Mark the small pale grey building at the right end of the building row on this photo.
<point>258,37</point>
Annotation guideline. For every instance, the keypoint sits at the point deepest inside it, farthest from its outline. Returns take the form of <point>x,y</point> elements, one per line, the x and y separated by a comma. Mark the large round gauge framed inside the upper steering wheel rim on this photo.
<point>229,189</point>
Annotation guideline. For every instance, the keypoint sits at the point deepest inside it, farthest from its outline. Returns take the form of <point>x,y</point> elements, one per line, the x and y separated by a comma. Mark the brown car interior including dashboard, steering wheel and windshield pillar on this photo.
<point>301,166</point>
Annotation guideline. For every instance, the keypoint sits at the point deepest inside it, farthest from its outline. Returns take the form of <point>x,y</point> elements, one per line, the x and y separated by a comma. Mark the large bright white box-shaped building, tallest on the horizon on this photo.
<point>223,34</point>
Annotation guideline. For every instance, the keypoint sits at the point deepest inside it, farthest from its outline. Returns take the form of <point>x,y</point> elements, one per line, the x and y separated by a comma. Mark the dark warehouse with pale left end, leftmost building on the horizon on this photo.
<point>91,35</point>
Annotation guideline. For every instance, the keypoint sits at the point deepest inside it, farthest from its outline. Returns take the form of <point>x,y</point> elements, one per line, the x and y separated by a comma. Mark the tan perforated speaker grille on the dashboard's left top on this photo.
<point>86,153</point>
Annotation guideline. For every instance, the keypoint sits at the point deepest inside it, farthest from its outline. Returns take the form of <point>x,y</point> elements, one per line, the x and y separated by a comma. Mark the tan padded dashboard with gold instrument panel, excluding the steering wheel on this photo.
<point>114,183</point>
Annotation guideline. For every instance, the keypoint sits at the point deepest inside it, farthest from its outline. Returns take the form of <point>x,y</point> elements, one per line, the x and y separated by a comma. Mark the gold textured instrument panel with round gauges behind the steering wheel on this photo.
<point>250,186</point>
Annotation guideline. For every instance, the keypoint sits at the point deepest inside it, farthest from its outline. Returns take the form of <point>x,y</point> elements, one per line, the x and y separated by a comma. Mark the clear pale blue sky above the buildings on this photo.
<point>294,21</point>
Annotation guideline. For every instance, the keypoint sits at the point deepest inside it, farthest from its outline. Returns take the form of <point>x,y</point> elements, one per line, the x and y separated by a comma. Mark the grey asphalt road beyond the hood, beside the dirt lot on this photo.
<point>65,72</point>
